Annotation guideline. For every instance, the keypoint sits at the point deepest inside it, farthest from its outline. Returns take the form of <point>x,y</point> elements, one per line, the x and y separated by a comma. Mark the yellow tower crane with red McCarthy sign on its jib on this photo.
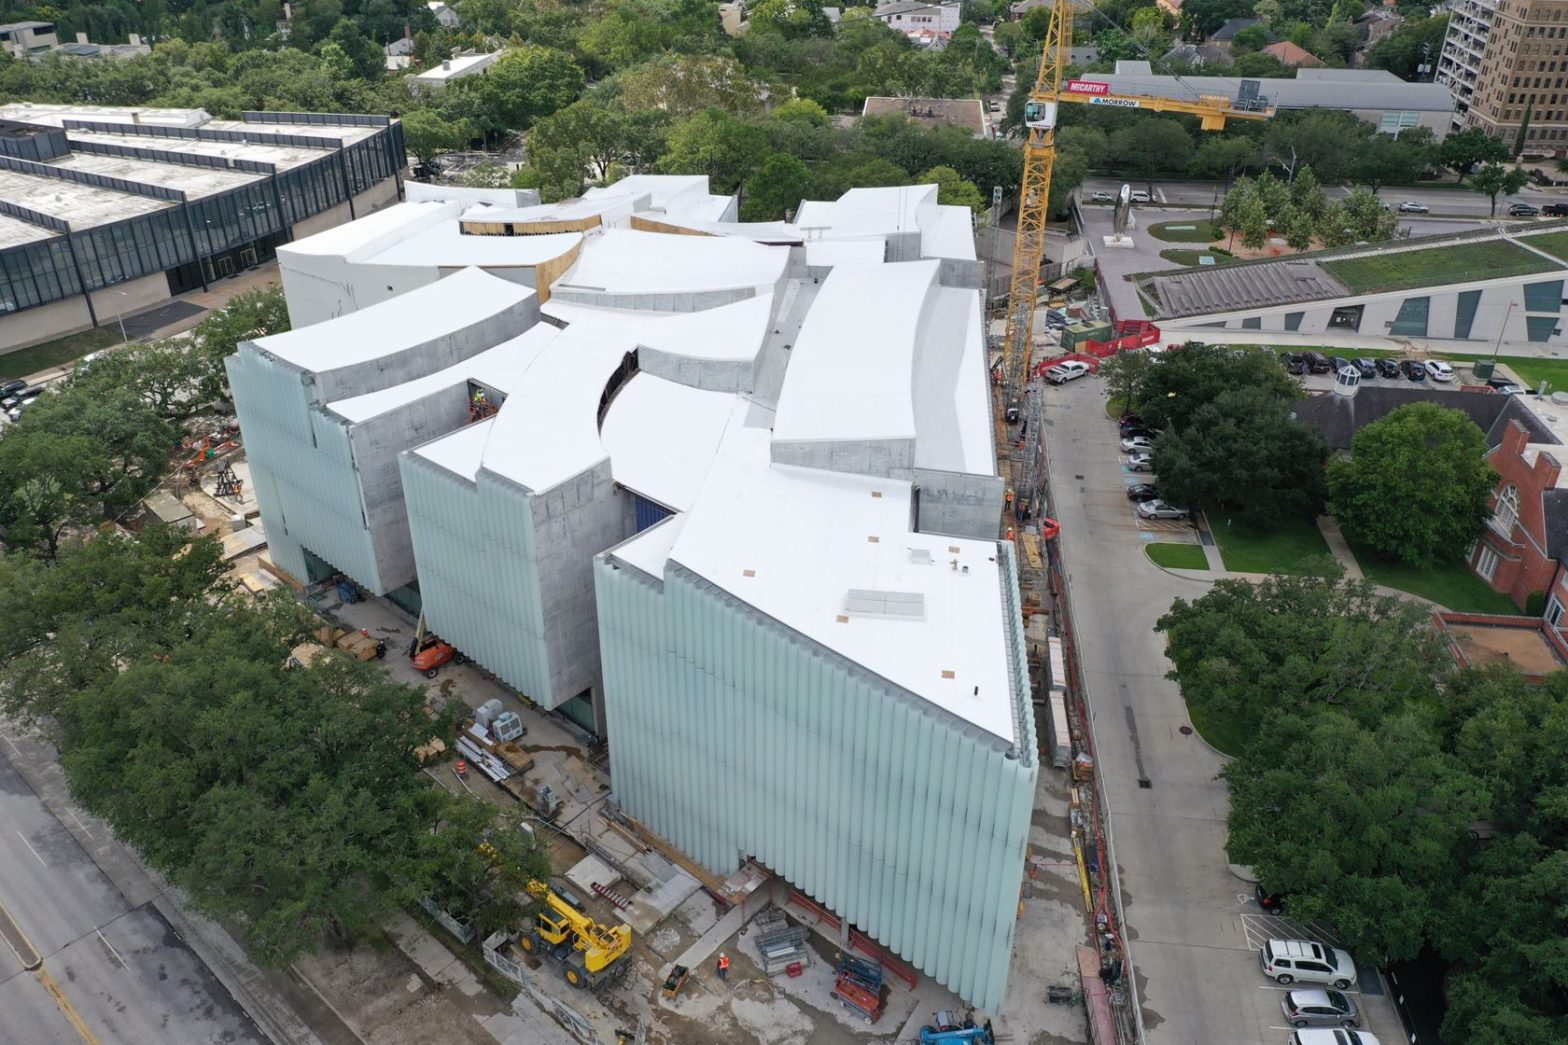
<point>1040,155</point>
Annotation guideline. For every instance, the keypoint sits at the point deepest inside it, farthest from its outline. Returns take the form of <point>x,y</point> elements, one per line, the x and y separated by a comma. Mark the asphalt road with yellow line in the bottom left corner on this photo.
<point>111,972</point>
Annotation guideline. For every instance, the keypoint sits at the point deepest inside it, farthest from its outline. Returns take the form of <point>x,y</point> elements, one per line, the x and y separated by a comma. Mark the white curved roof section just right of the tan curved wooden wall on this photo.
<point>622,261</point>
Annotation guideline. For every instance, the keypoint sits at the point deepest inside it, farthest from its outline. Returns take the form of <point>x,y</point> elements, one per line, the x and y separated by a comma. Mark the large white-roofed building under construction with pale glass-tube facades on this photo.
<point>725,495</point>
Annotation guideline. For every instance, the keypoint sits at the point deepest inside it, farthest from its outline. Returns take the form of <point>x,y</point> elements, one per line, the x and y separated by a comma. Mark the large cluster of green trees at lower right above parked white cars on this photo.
<point>1403,803</point>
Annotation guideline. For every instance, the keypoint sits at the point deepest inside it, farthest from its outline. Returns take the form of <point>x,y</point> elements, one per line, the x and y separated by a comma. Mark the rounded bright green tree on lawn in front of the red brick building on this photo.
<point>1417,487</point>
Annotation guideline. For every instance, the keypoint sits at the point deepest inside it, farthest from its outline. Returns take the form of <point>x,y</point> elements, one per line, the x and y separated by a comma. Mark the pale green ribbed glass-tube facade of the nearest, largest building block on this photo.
<point>735,737</point>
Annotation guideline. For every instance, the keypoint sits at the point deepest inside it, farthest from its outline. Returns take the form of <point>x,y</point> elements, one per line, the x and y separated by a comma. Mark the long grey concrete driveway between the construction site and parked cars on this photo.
<point>1192,925</point>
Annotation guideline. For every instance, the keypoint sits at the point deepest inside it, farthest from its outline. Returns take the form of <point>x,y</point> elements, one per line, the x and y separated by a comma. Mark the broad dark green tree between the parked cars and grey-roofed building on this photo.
<point>1244,456</point>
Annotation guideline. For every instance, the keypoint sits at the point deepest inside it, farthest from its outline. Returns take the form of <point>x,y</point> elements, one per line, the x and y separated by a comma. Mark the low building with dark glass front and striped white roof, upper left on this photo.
<point>106,213</point>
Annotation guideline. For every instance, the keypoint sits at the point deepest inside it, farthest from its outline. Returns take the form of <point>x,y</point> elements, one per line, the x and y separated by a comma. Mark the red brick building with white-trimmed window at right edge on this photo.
<point>1528,533</point>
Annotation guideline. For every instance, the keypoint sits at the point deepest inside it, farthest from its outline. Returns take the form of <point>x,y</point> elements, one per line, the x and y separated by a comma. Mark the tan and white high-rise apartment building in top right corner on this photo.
<point>1506,64</point>
